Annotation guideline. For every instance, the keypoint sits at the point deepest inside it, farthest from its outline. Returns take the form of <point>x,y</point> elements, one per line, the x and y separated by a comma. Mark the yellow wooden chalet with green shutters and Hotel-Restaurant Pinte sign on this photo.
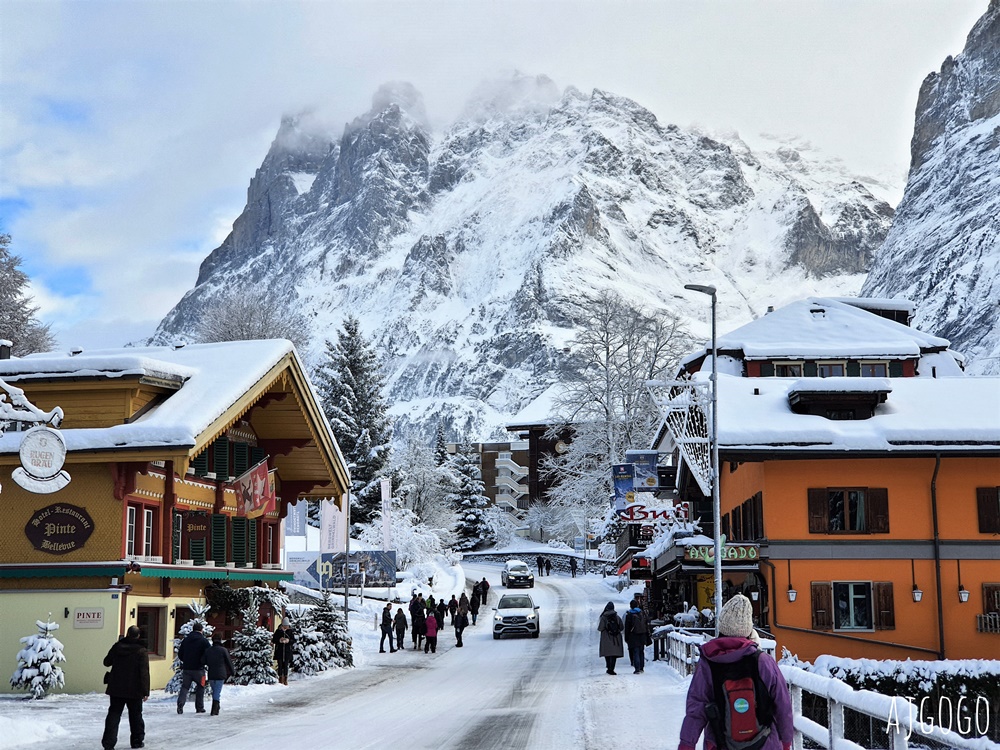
<point>157,441</point>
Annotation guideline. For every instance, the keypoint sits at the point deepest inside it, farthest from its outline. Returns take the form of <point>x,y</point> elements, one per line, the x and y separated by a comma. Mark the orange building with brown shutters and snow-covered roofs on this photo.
<point>869,497</point>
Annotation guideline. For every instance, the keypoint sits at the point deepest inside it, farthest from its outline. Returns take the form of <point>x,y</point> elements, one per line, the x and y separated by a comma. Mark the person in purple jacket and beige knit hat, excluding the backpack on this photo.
<point>737,638</point>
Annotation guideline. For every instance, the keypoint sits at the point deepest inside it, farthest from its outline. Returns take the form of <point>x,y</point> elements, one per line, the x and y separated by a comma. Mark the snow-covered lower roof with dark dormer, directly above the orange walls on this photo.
<point>919,414</point>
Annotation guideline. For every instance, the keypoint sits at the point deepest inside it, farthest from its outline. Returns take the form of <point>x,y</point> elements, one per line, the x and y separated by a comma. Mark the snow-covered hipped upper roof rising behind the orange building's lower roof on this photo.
<point>822,327</point>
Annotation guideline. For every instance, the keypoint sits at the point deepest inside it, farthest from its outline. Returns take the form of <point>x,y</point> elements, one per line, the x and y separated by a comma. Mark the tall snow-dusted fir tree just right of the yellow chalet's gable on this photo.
<point>350,384</point>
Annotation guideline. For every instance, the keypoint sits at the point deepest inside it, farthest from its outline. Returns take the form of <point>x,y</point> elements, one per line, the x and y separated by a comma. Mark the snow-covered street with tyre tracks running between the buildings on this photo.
<point>513,693</point>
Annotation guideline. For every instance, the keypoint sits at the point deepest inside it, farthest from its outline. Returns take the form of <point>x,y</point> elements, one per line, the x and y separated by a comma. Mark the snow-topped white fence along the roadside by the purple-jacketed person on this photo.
<point>906,730</point>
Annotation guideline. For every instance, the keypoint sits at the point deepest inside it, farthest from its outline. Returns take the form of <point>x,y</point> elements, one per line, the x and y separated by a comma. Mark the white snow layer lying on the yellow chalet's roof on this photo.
<point>212,377</point>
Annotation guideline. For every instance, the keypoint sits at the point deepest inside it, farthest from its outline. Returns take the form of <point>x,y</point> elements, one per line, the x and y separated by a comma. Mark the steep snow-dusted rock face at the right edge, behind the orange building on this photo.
<point>943,251</point>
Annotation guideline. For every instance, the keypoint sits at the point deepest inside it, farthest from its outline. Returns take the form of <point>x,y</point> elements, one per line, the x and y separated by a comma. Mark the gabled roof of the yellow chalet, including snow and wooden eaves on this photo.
<point>216,385</point>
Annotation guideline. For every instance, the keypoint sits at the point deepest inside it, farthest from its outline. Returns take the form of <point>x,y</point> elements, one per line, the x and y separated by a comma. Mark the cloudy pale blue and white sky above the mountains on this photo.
<point>130,130</point>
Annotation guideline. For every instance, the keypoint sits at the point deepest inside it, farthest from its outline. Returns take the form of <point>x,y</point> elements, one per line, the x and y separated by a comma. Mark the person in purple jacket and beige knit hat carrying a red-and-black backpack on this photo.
<point>735,652</point>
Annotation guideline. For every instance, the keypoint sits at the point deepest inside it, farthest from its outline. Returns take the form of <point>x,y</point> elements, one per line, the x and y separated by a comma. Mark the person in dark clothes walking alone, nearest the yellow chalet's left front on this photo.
<point>128,686</point>
